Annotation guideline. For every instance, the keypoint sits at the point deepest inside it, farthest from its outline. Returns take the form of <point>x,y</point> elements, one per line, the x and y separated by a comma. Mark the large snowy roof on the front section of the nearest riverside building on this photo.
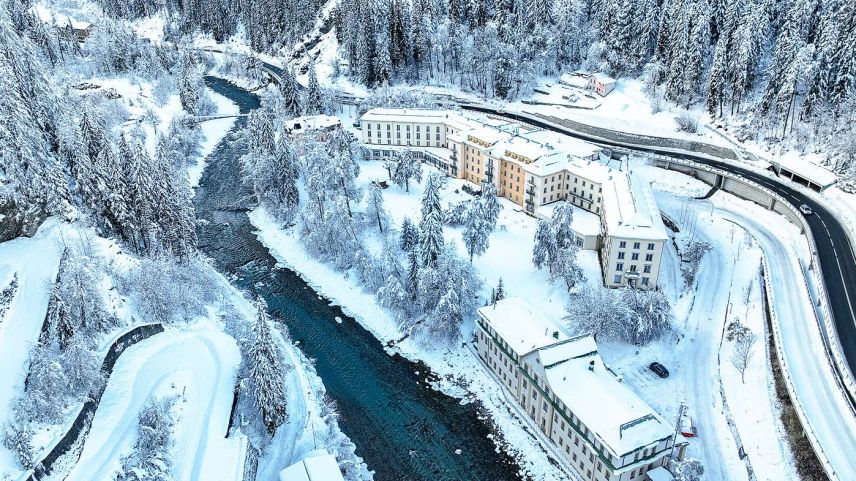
<point>606,406</point>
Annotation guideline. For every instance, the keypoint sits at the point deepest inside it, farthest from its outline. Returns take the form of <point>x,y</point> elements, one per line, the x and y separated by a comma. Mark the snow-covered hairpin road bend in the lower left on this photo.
<point>199,366</point>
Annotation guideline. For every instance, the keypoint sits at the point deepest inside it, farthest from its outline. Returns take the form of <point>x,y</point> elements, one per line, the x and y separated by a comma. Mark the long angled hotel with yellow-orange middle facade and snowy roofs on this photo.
<point>614,213</point>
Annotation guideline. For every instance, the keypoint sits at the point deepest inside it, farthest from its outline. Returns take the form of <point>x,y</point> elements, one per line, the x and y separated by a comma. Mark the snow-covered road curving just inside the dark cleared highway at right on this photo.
<point>803,347</point>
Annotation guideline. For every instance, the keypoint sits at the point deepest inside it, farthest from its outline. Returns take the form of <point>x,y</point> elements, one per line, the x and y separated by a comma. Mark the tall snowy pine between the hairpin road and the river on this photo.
<point>267,371</point>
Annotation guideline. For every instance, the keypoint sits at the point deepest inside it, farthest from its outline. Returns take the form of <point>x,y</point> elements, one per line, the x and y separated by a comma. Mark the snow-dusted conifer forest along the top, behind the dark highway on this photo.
<point>782,72</point>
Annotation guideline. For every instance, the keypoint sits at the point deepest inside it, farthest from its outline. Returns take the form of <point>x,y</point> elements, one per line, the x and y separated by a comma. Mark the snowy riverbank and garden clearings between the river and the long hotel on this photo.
<point>509,257</point>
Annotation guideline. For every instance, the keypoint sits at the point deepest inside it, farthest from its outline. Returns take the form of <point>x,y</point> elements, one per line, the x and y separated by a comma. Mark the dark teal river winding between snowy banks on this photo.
<point>402,428</point>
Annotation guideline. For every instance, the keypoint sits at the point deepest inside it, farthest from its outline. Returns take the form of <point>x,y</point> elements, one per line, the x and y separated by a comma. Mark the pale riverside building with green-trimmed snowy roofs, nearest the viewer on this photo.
<point>596,423</point>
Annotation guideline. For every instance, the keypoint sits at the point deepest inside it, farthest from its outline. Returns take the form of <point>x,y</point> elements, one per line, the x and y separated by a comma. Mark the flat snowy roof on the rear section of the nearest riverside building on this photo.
<point>522,327</point>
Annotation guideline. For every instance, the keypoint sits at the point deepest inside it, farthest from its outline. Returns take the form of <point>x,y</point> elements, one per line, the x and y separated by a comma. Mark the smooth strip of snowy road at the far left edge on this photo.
<point>36,262</point>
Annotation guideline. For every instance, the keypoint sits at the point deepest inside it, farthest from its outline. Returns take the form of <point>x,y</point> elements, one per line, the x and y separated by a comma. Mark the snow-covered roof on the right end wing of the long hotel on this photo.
<point>630,210</point>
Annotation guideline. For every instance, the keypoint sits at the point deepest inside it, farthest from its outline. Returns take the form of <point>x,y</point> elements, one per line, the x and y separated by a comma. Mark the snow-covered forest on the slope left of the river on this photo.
<point>101,136</point>
